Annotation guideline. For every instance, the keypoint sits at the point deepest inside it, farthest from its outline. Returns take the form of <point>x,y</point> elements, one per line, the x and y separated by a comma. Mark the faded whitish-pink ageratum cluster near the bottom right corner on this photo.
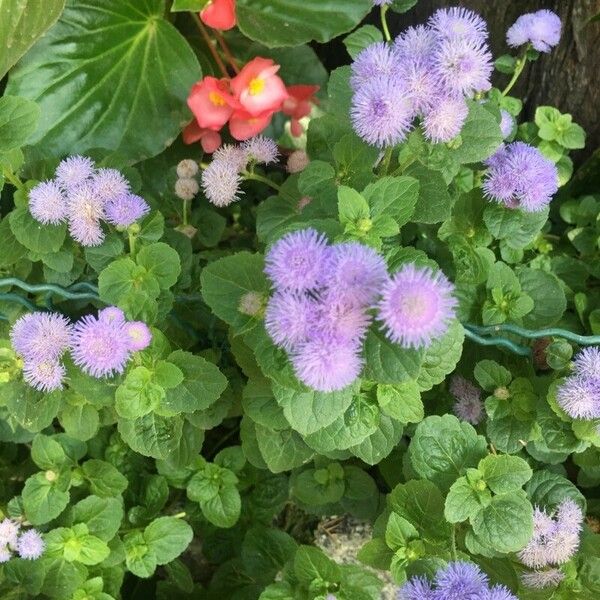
<point>554,541</point>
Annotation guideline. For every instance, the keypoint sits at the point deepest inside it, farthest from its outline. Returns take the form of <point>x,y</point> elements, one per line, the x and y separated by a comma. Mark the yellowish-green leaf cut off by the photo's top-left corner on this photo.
<point>22,23</point>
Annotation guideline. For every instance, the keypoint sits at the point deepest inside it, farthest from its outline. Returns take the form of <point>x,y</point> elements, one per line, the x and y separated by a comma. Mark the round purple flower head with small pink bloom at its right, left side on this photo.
<point>99,347</point>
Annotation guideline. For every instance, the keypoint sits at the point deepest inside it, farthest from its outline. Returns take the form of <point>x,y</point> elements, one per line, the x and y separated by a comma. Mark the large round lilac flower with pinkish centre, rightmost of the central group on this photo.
<point>416,306</point>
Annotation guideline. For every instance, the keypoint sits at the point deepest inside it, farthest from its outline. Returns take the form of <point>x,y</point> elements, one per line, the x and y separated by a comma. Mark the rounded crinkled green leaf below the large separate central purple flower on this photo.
<point>443,448</point>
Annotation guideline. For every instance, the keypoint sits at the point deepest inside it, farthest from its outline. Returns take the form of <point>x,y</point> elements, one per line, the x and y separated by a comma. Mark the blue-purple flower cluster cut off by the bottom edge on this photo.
<point>457,581</point>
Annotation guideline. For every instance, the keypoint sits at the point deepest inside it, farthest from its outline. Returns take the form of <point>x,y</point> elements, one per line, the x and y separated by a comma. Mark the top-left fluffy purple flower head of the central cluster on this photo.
<point>297,261</point>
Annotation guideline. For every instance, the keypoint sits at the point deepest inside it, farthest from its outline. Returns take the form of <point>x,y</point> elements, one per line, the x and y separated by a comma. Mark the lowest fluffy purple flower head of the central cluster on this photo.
<point>326,366</point>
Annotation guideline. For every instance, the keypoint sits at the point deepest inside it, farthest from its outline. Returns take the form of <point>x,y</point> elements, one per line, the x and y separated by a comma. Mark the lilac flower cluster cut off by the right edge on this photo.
<point>579,394</point>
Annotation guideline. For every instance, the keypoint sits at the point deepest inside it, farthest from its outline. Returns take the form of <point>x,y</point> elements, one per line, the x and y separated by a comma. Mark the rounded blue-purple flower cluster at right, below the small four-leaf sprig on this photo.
<point>520,176</point>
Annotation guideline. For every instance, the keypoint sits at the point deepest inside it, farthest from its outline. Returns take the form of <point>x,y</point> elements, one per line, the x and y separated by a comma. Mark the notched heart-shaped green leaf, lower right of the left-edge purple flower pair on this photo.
<point>203,383</point>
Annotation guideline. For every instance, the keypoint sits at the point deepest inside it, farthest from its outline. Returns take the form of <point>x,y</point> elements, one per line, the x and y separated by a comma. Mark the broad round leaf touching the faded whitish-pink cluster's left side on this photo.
<point>506,524</point>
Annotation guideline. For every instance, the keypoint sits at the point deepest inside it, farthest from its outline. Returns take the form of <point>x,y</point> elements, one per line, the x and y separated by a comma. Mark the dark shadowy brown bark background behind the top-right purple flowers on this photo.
<point>568,77</point>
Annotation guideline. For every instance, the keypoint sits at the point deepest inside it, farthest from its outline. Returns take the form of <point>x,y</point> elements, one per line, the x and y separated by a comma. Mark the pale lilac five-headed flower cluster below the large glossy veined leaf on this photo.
<point>84,196</point>
